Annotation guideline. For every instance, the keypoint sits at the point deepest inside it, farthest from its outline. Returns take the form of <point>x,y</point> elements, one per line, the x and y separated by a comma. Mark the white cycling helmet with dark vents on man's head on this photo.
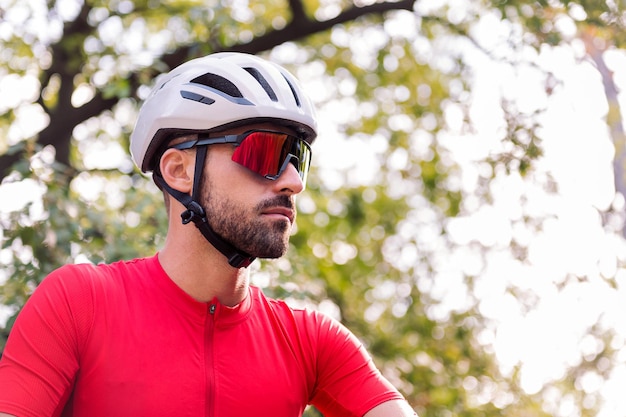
<point>216,92</point>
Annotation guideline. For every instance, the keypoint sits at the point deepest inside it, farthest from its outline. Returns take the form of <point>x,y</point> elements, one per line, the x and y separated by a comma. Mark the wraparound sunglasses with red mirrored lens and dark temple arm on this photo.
<point>265,152</point>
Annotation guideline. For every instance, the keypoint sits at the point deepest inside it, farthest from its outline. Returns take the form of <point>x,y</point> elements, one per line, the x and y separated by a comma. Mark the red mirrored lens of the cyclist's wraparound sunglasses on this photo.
<point>269,153</point>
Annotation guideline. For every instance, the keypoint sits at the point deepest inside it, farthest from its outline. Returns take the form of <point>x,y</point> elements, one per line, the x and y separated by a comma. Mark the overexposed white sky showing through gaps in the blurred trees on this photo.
<point>578,155</point>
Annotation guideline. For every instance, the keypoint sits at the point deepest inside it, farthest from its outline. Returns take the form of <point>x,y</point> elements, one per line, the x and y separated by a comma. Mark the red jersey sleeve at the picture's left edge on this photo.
<point>40,360</point>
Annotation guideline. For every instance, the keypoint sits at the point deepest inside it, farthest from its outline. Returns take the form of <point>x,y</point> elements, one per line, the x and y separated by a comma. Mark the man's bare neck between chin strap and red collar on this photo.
<point>200,270</point>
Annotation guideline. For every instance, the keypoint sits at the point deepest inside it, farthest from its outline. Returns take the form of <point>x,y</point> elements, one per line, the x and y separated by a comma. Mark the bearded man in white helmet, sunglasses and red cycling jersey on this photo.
<point>182,333</point>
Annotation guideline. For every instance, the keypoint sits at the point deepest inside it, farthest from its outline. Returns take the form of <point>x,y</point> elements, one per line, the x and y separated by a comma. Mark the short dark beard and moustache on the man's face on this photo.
<point>246,229</point>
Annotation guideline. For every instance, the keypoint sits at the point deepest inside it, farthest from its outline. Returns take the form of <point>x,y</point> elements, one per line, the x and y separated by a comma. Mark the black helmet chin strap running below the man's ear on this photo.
<point>196,214</point>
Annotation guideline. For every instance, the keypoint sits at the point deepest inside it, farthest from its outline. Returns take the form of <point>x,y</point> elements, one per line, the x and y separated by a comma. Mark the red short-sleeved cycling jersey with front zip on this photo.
<point>124,340</point>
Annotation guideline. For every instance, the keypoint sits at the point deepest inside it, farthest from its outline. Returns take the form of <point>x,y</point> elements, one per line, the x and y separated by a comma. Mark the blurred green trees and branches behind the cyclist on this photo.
<point>392,79</point>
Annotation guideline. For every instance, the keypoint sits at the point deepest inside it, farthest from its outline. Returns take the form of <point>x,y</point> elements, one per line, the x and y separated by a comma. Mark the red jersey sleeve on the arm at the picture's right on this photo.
<point>348,383</point>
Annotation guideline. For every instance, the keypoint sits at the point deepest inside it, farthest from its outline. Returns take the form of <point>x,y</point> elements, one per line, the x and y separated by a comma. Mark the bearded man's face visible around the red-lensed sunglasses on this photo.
<point>251,212</point>
